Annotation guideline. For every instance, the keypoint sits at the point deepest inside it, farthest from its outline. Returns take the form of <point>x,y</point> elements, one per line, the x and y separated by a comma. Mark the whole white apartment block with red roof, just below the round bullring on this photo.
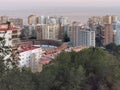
<point>29,56</point>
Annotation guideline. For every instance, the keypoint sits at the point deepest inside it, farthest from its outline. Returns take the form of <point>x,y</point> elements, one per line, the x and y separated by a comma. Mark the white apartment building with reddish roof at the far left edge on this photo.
<point>11,34</point>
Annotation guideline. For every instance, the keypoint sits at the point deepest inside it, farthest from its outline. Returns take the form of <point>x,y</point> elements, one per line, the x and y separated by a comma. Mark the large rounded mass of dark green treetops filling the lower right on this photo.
<point>90,69</point>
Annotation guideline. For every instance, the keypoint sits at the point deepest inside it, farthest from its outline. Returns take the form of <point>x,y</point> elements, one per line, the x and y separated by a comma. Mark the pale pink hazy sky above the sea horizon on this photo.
<point>26,4</point>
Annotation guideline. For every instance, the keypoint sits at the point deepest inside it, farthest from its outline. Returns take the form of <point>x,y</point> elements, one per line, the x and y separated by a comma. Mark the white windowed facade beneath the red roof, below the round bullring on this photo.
<point>30,57</point>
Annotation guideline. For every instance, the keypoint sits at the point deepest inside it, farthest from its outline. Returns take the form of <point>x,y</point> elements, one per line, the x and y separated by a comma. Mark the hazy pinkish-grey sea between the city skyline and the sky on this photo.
<point>80,14</point>
